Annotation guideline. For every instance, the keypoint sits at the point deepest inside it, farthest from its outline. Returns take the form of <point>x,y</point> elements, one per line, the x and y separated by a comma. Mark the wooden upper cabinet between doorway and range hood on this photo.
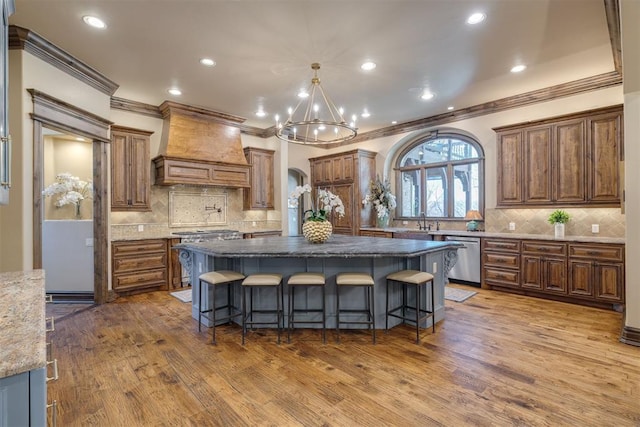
<point>130,169</point>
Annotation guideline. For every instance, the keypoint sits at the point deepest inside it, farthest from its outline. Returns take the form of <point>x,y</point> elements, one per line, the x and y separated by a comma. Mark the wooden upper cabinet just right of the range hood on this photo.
<point>260,194</point>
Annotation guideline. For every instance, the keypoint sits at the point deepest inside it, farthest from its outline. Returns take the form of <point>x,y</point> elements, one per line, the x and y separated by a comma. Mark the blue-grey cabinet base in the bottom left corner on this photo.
<point>23,399</point>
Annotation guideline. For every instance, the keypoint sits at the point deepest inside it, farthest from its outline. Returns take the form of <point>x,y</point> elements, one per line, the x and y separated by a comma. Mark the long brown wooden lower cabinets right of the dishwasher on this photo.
<point>581,273</point>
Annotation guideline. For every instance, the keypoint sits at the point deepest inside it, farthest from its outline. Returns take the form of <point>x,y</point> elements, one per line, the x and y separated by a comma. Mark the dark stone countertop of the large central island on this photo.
<point>336,246</point>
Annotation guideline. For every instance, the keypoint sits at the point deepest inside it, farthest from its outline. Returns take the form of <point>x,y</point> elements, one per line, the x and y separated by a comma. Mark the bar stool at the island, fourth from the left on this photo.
<point>361,280</point>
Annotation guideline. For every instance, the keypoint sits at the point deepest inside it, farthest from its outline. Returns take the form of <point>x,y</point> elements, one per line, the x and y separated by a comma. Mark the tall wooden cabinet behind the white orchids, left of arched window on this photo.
<point>348,176</point>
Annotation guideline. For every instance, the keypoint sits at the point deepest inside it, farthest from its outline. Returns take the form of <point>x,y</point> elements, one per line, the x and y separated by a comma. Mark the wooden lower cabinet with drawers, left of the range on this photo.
<point>139,265</point>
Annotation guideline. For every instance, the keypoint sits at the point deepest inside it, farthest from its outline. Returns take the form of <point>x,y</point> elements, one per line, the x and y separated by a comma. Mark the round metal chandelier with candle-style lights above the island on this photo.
<point>315,120</point>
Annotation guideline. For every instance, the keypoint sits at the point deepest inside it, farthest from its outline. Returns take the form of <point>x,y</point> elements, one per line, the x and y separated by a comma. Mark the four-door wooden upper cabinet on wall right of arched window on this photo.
<point>568,160</point>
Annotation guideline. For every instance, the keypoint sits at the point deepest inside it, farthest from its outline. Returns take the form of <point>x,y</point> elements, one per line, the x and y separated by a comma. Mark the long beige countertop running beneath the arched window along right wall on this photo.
<point>582,239</point>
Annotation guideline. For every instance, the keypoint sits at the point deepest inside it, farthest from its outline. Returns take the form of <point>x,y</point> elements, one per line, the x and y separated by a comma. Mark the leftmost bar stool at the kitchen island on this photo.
<point>210,281</point>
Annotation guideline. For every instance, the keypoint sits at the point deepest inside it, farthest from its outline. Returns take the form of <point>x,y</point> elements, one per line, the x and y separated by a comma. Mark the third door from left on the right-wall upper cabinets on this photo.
<point>569,161</point>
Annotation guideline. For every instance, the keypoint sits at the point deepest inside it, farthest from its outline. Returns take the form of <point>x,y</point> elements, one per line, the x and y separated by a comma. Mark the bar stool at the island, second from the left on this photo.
<point>262,280</point>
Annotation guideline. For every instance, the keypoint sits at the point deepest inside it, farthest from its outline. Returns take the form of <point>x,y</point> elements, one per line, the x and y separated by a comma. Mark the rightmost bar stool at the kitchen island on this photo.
<point>418,279</point>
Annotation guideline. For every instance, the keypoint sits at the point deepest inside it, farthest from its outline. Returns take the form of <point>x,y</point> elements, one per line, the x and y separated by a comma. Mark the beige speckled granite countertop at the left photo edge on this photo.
<point>22,322</point>
